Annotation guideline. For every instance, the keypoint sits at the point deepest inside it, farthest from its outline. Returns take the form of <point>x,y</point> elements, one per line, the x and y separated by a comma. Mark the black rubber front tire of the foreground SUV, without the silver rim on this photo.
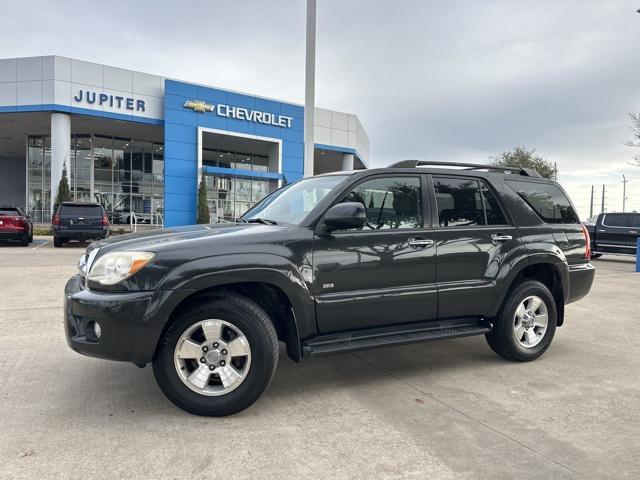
<point>261,335</point>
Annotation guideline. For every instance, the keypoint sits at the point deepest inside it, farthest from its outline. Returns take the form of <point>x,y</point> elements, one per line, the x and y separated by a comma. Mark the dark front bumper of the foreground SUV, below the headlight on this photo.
<point>130,322</point>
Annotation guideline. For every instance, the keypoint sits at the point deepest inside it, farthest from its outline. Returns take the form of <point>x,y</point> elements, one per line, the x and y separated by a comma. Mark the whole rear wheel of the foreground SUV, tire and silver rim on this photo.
<point>526,324</point>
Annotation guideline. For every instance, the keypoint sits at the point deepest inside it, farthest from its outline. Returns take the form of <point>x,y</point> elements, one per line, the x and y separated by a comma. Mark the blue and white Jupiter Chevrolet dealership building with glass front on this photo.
<point>138,143</point>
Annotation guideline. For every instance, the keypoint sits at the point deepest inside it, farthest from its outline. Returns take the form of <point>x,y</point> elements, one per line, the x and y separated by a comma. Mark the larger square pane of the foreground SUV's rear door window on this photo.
<point>459,202</point>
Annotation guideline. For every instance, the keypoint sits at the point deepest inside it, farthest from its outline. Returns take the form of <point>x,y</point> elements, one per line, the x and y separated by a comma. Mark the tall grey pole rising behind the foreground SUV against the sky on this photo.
<point>309,88</point>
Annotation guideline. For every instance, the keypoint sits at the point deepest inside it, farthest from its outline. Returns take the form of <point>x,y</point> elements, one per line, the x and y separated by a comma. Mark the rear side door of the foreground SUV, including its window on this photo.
<point>473,237</point>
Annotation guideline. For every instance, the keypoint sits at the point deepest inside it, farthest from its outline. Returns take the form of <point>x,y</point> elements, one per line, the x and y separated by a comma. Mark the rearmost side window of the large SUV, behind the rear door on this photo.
<point>547,200</point>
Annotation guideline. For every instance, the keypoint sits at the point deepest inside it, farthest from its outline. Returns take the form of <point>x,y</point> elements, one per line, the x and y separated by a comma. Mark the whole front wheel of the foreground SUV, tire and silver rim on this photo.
<point>218,357</point>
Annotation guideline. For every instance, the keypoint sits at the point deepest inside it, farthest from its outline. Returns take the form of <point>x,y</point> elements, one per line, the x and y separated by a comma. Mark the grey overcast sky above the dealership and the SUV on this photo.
<point>455,80</point>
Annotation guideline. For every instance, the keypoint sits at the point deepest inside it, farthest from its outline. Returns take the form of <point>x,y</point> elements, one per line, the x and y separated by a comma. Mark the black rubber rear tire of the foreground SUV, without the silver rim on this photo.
<point>502,338</point>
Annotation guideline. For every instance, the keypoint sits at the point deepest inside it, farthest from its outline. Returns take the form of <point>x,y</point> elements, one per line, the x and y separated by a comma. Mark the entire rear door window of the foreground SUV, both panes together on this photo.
<point>464,202</point>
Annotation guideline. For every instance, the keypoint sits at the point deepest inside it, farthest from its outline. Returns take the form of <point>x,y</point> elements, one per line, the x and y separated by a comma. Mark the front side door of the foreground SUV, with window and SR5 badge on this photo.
<point>383,274</point>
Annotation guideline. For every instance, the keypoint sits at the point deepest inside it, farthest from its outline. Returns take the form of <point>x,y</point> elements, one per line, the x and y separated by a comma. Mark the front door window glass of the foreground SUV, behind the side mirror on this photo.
<point>391,203</point>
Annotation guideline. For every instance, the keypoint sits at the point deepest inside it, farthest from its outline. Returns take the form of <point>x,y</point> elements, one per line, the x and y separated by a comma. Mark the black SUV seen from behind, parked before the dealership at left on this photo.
<point>79,221</point>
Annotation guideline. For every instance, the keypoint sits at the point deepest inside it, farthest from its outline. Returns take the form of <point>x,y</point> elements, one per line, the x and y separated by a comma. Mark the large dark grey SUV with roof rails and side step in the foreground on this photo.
<point>334,263</point>
